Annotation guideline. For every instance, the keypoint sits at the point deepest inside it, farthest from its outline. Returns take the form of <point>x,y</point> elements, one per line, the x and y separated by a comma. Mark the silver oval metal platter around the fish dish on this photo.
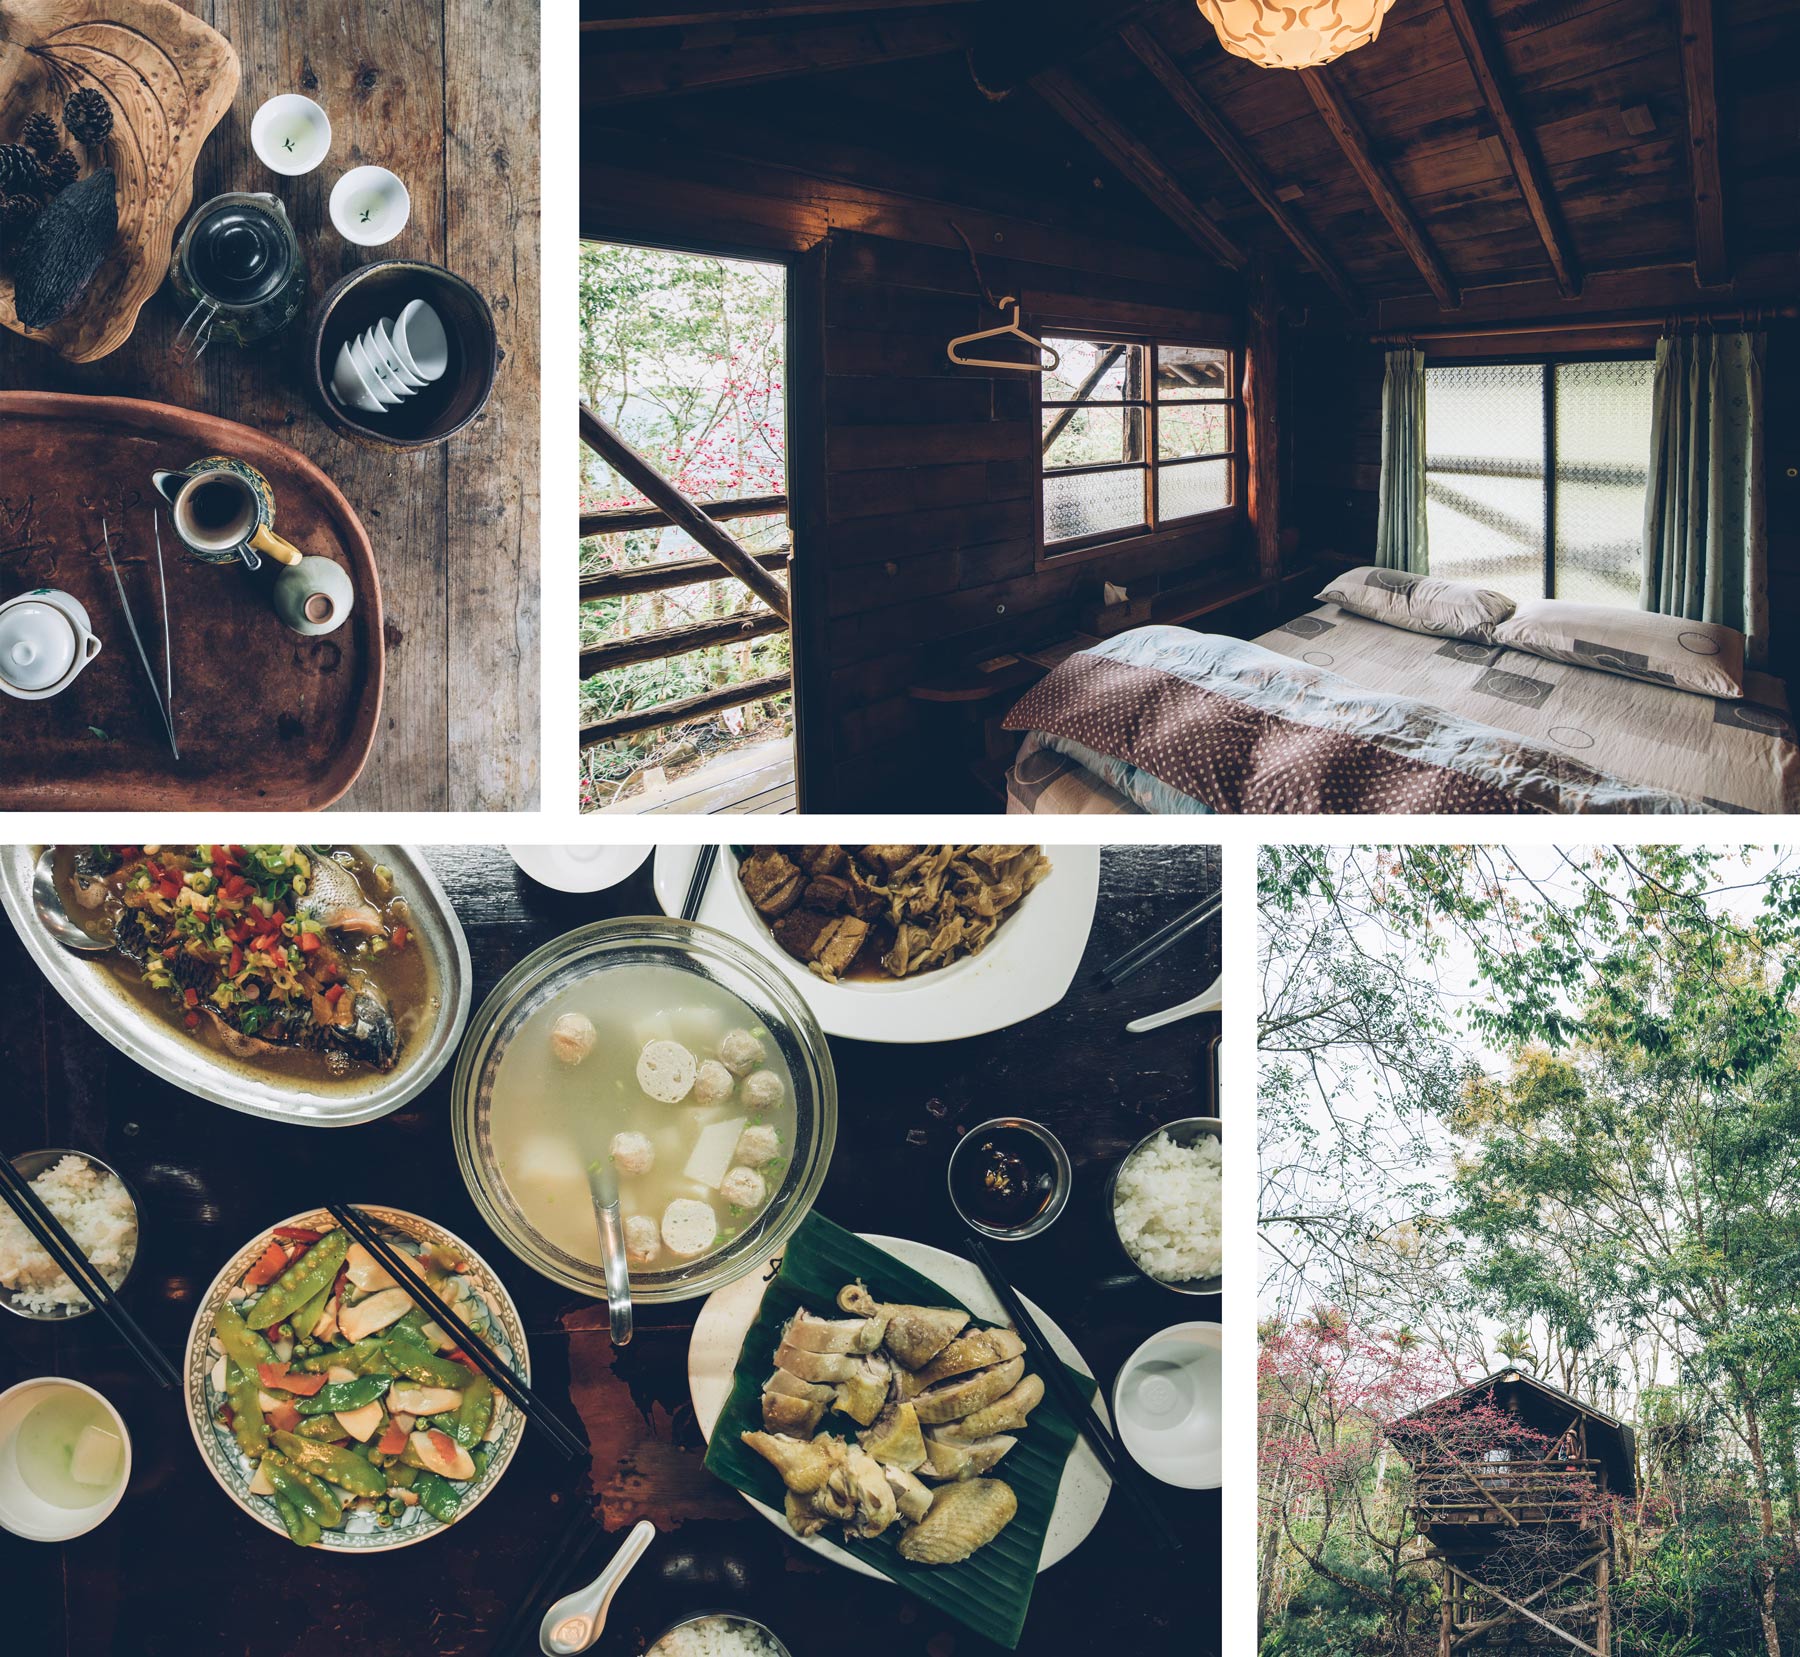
<point>163,1050</point>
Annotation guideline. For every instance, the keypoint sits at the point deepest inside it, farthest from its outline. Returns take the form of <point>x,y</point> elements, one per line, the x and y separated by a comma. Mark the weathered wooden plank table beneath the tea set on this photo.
<point>445,93</point>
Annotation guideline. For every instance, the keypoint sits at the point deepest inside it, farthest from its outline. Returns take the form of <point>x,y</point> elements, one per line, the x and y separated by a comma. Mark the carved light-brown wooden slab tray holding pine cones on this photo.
<point>170,80</point>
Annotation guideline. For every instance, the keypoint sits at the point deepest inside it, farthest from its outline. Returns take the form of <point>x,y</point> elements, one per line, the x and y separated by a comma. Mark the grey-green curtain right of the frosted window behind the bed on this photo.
<point>1705,537</point>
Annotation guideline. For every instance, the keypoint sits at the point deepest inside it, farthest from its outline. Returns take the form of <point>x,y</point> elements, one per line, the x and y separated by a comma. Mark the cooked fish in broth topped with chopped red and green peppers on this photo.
<point>283,958</point>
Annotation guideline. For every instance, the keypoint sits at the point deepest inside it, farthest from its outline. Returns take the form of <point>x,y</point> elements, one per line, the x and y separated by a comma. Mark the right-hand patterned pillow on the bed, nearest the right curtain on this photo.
<point>1668,650</point>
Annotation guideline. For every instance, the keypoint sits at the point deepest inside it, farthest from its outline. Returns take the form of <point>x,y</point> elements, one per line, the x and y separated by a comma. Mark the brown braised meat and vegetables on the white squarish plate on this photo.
<point>886,911</point>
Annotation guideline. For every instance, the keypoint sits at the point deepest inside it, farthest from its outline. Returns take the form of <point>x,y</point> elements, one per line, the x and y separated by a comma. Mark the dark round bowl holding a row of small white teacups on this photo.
<point>442,409</point>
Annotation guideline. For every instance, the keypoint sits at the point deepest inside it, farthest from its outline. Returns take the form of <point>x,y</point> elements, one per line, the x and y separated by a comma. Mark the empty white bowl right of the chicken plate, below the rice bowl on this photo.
<point>1167,1406</point>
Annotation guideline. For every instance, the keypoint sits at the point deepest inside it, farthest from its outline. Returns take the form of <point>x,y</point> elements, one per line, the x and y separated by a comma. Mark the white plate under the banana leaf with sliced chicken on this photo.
<point>728,1316</point>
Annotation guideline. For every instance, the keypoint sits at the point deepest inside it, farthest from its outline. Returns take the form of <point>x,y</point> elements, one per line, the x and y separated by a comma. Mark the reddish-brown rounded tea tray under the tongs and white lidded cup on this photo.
<point>265,719</point>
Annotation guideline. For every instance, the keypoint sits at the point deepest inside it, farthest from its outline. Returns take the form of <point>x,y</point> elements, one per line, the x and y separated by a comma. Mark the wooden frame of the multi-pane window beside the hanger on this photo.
<point>1155,530</point>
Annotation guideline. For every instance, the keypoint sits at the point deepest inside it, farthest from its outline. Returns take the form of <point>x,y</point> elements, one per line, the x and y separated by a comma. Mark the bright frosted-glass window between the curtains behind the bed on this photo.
<point>1536,476</point>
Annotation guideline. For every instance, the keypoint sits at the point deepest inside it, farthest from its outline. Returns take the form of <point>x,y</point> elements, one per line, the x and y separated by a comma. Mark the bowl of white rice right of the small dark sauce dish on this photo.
<point>1167,1206</point>
